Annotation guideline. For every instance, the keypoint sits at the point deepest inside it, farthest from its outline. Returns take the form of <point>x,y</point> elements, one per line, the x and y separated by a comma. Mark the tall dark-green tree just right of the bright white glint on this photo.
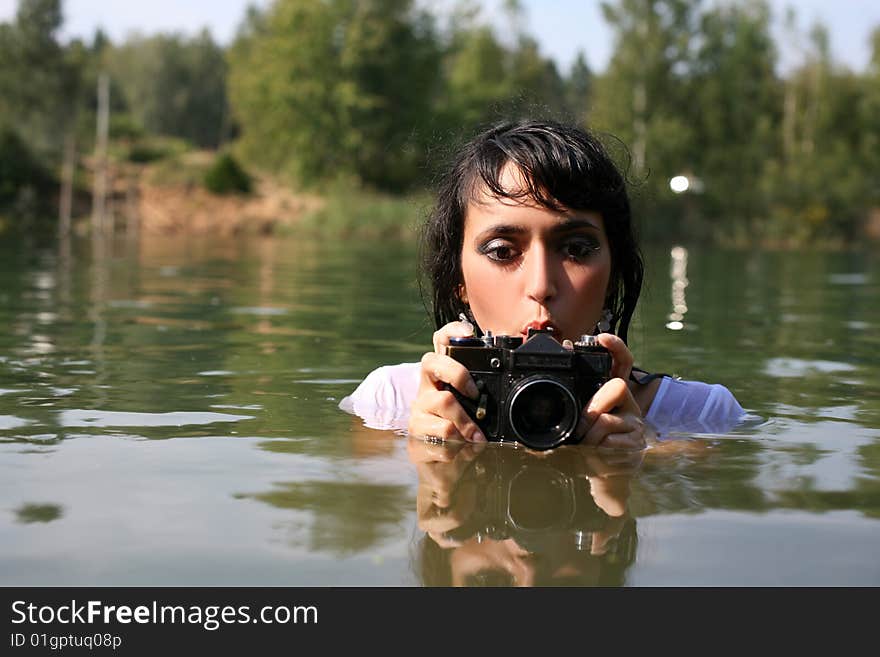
<point>735,100</point>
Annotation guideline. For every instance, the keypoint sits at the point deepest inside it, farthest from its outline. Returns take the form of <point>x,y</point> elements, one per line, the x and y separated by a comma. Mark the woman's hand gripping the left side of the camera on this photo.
<point>435,411</point>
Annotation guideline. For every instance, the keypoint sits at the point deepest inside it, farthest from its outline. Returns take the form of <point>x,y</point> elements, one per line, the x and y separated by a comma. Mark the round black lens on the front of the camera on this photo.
<point>542,412</point>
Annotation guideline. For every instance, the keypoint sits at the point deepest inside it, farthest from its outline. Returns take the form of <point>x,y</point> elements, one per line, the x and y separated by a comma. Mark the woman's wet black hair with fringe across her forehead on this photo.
<point>562,167</point>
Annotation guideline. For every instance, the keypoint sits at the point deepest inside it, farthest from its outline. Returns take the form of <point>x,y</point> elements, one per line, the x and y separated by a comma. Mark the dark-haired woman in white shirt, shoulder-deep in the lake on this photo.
<point>532,230</point>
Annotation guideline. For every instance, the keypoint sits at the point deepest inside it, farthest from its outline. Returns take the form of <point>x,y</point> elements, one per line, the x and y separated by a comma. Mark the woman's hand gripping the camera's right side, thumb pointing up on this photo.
<point>612,418</point>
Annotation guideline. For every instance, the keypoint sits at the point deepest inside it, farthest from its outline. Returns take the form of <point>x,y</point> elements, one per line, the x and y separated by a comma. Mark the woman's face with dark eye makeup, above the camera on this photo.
<point>527,266</point>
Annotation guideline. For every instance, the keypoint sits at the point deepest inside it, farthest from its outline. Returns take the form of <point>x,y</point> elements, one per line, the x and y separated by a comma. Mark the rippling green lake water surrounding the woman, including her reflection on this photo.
<point>169,416</point>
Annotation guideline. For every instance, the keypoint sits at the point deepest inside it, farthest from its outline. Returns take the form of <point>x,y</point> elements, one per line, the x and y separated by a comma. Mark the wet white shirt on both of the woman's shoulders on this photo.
<point>382,401</point>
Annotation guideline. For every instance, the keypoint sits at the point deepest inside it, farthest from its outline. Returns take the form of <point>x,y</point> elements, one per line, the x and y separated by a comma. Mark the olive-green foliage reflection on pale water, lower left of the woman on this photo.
<point>345,517</point>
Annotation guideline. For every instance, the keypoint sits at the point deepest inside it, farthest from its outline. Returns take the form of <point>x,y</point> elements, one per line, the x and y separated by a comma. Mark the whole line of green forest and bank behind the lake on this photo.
<point>343,112</point>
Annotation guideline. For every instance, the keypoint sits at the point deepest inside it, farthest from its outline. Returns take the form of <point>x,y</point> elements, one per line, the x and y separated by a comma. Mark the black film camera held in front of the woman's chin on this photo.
<point>532,391</point>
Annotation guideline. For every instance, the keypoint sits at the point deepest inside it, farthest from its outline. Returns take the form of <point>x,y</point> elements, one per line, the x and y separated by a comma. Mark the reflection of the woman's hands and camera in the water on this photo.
<point>497,515</point>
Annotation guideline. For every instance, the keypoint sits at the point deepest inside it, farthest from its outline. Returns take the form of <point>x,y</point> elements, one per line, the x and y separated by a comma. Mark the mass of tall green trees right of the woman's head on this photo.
<point>696,91</point>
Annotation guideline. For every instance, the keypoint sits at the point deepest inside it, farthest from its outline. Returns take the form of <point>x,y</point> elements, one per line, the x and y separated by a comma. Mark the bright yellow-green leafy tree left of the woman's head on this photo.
<point>335,89</point>
